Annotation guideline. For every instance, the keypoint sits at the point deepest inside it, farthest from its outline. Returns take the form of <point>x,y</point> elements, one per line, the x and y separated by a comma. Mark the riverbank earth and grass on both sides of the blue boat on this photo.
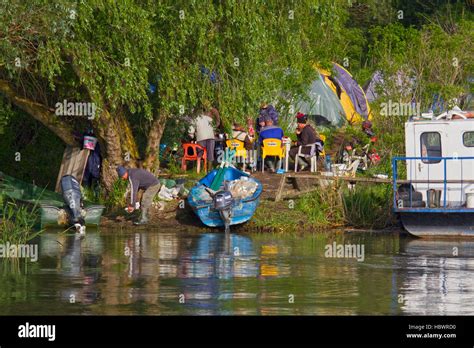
<point>332,207</point>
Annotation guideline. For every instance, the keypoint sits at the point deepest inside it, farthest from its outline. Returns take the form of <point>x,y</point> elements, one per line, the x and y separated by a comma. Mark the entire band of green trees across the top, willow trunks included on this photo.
<point>144,62</point>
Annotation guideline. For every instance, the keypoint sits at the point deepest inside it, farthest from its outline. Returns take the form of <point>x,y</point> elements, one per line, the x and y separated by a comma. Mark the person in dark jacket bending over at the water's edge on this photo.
<point>140,179</point>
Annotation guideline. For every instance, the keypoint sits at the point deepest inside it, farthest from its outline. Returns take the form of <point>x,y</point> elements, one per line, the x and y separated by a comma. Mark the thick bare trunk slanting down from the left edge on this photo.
<point>40,112</point>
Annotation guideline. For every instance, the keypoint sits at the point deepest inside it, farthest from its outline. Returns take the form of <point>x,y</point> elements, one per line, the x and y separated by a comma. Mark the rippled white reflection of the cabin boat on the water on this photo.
<point>438,277</point>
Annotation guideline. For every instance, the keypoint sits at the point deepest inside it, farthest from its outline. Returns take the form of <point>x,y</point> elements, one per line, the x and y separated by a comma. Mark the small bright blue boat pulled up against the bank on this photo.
<point>241,210</point>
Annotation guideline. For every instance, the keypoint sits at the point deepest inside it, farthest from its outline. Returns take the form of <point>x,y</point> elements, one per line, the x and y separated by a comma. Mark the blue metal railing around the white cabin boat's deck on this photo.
<point>430,159</point>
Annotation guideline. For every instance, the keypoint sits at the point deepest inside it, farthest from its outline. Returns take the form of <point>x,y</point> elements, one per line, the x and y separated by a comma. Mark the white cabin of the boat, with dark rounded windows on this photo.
<point>440,156</point>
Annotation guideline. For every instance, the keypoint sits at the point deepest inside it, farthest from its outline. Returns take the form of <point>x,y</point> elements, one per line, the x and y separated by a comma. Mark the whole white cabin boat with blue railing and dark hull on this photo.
<point>439,204</point>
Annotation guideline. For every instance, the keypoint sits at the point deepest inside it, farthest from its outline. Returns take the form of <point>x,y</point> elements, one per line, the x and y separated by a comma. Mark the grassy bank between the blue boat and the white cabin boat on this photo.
<point>365,206</point>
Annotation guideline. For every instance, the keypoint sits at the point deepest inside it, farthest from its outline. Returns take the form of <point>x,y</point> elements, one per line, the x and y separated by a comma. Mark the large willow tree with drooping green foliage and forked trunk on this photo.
<point>109,53</point>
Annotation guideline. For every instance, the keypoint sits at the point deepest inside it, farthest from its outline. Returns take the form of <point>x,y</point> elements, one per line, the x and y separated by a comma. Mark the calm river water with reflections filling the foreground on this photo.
<point>195,272</point>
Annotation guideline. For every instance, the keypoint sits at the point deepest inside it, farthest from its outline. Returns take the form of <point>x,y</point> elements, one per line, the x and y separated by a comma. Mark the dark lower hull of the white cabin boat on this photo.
<point>438,224</point>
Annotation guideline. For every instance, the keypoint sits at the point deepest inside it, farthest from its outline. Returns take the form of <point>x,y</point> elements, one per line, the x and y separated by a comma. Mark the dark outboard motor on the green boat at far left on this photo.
<point>72,197</point>
